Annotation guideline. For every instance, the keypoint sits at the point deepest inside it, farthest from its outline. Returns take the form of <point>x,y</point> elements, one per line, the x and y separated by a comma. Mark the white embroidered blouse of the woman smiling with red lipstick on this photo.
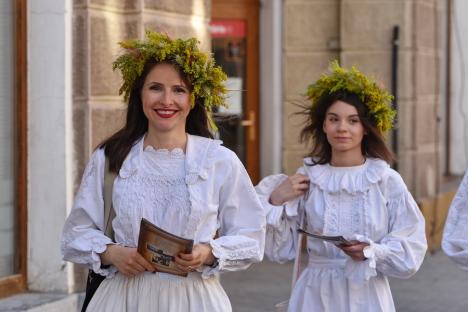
<point>191,195</point>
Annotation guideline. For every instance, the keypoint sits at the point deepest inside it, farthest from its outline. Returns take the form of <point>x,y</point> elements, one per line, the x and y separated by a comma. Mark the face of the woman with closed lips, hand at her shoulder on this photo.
<point>343,128</point>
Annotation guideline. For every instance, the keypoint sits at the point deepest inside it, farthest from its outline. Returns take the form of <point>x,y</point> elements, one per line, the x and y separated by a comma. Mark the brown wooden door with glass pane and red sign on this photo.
<point>235,44</point>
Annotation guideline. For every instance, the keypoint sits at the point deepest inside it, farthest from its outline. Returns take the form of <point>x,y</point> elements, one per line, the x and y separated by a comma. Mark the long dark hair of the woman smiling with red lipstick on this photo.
<point>118,145</point>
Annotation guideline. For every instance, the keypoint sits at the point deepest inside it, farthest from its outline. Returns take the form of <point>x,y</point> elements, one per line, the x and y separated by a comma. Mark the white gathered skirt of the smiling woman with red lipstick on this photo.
<point>160,292</point>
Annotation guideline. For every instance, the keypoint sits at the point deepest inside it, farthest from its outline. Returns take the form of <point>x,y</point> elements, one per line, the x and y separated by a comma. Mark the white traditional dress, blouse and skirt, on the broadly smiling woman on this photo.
<point>191,195</point>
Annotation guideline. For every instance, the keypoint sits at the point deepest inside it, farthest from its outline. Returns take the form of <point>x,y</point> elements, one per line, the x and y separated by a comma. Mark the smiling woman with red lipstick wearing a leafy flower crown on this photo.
<point>171,172</point>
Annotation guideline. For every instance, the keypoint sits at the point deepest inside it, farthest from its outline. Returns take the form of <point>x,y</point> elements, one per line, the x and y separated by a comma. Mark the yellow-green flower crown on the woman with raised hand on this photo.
<point>376,99</point>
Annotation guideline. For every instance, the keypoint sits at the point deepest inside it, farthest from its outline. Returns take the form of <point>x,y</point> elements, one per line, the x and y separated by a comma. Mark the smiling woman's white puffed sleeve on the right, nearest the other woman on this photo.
<point>241,220</point>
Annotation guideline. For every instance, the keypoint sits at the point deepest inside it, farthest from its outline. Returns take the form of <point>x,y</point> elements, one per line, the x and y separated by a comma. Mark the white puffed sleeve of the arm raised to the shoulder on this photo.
<point>282,221</point>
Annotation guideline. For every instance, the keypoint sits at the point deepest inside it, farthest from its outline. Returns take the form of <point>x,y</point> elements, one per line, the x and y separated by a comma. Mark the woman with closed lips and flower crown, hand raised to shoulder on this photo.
<point>345,188</point>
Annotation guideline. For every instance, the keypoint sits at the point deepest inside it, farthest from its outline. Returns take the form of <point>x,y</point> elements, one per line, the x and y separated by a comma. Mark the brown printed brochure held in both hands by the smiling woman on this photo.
<point>160,247</point>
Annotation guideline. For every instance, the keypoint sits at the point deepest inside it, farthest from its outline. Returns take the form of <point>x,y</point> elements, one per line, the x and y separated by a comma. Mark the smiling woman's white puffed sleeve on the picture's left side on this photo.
<point>82,239</point>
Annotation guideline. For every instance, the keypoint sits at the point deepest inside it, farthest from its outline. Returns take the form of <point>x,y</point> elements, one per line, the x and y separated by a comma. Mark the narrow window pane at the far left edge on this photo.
<point>7,164</point>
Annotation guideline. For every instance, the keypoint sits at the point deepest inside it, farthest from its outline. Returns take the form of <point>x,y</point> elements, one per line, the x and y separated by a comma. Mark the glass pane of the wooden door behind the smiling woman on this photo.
<point>229,46</point>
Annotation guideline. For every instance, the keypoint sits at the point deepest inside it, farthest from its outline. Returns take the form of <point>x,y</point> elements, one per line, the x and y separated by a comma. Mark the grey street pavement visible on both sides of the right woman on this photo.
<point>439,286</point>
